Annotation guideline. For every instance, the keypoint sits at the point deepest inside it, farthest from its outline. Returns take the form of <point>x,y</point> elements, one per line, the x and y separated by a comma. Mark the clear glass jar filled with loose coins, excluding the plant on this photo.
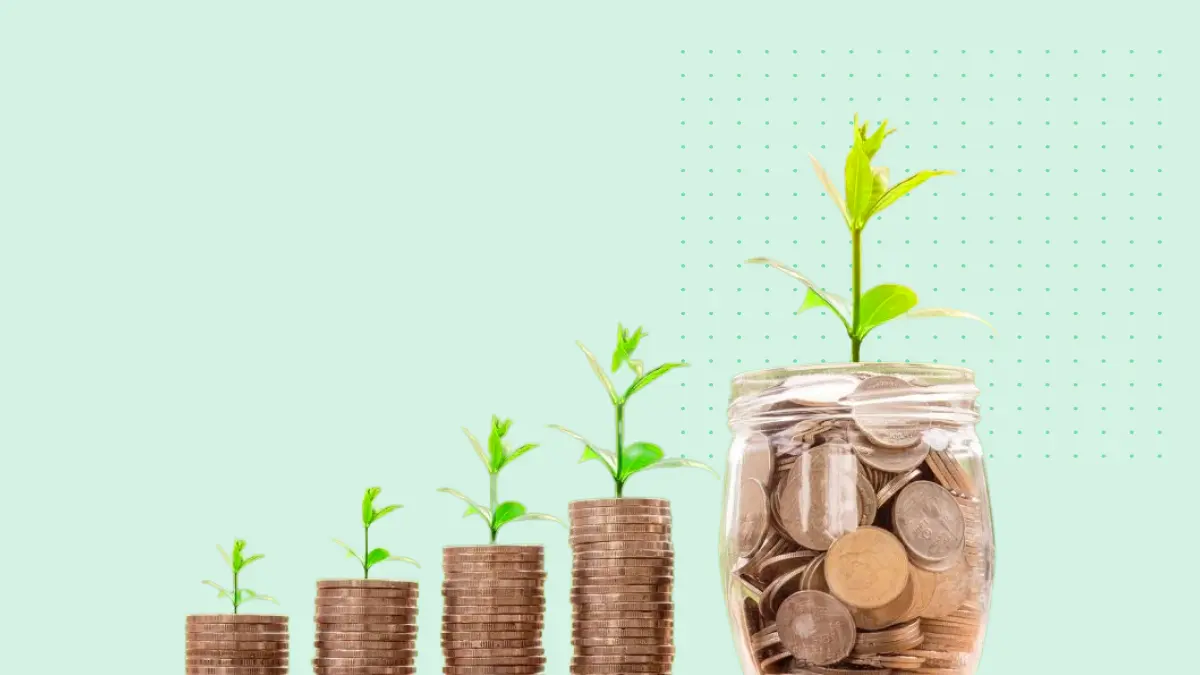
<point>856,530</point>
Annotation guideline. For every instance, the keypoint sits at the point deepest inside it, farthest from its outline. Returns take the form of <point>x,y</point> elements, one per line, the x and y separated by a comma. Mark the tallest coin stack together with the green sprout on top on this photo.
<point>625,563</point>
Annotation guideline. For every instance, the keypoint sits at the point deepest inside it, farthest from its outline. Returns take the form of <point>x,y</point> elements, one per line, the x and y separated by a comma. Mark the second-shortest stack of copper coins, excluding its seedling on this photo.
<point>365,628</point>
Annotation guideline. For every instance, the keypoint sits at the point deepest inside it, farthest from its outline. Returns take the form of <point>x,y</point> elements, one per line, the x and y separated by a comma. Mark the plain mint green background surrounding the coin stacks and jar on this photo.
<point>257,256</point>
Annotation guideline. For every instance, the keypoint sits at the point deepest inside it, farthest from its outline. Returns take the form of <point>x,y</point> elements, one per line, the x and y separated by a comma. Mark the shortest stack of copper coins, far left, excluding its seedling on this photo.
<point>237,644</point>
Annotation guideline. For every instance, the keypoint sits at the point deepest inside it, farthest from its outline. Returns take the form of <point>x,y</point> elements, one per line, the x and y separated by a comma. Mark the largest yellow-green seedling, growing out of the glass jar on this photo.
<point>868,194</point>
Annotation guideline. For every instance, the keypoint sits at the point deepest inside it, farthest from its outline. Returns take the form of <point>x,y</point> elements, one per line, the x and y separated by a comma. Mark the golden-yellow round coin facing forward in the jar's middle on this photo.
<point>867,569</point>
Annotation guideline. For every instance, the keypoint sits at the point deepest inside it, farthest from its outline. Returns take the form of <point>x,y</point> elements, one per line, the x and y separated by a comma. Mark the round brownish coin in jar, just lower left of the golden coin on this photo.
<point>815,629</point>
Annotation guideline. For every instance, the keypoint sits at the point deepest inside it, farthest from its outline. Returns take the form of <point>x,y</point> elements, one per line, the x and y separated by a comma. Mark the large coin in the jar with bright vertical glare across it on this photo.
<point>819,501</point>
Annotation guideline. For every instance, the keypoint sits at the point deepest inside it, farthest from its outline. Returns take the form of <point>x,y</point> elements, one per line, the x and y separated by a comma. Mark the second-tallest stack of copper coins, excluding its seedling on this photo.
<point>495,611</point>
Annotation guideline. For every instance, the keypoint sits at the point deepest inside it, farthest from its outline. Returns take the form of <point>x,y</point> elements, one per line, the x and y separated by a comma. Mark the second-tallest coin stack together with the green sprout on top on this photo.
<point>494,595</point>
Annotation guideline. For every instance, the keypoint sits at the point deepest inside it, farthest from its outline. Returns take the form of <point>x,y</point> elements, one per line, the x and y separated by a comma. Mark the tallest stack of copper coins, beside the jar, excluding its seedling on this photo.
<point>623,616</point>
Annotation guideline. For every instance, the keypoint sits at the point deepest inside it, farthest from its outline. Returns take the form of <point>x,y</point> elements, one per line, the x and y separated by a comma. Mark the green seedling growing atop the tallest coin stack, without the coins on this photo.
<point>634,458</point>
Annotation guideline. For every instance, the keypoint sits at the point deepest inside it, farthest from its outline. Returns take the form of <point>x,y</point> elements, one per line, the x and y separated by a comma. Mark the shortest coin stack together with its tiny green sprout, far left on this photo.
<point>237,644</point>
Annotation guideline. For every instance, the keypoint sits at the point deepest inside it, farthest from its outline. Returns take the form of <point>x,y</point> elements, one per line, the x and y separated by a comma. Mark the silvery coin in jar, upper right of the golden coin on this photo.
<point>929,523</point>
